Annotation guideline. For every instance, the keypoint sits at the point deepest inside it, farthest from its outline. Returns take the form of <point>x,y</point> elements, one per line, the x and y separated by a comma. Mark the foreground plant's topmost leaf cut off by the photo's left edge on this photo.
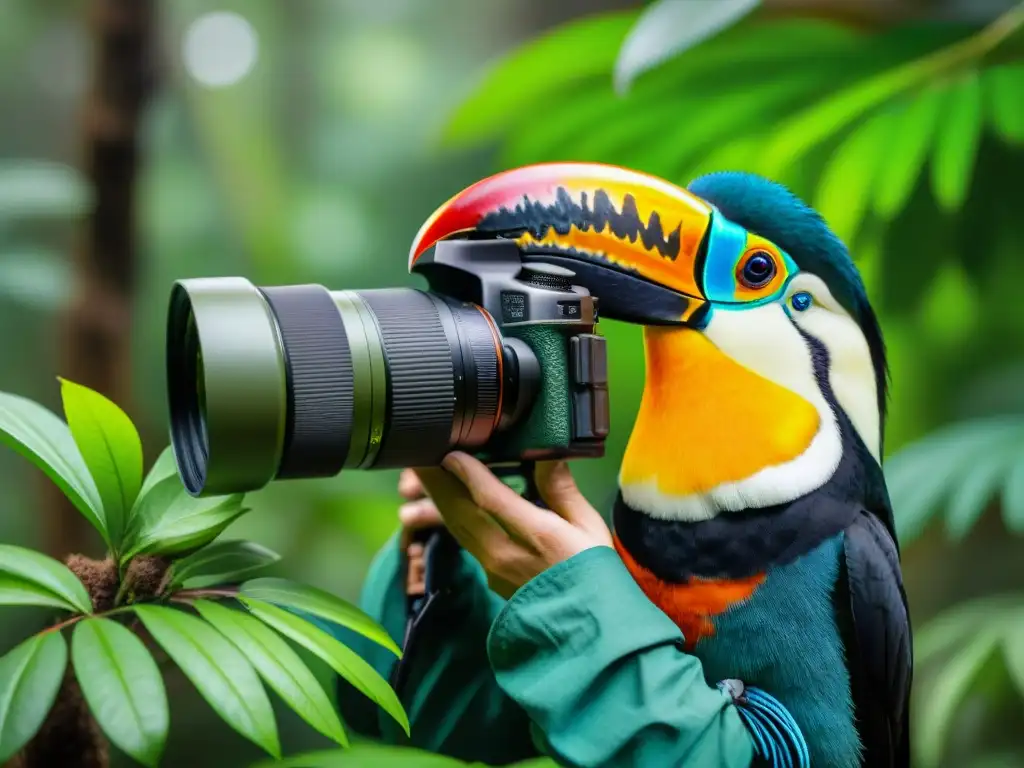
<point>44,439</point>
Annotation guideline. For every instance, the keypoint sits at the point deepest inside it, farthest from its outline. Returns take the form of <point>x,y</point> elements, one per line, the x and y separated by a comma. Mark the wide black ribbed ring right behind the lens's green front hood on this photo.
<point>320,381</point>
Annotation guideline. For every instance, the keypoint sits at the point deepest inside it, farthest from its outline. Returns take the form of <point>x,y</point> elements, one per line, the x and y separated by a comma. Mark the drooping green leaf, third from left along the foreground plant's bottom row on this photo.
<point>219,671</point>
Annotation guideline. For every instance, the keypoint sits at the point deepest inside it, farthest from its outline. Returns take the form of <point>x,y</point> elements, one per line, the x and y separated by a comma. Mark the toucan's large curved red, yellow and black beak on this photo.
<point>636,242</point>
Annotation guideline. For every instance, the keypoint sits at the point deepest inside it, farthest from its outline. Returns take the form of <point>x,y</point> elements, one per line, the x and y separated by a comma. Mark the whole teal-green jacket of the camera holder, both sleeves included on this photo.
<point>579,666</point>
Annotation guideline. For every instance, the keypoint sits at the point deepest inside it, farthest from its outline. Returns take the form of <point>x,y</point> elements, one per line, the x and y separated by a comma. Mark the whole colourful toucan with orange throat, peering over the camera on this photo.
<point>752,506</point>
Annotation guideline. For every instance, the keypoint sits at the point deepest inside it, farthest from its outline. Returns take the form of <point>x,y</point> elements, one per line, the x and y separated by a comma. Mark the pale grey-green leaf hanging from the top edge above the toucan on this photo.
<point>667,28</point>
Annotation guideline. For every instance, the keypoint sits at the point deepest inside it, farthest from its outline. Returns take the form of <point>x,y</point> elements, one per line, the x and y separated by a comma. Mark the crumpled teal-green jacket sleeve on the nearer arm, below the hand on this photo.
<point>603,675</point>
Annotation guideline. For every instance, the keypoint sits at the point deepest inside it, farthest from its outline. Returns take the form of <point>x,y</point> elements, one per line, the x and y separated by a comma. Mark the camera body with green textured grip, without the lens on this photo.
<point>553,363</point>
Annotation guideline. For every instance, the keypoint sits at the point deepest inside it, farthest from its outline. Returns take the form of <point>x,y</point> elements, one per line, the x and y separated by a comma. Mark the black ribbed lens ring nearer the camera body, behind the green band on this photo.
<point>421,385</point>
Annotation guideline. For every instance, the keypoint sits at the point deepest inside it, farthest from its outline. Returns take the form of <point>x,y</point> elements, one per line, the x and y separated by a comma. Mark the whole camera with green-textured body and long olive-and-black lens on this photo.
<point>499,358</point>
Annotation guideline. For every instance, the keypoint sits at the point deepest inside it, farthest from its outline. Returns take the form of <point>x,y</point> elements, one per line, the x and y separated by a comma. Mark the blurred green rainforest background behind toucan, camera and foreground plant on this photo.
<point>308,141</point>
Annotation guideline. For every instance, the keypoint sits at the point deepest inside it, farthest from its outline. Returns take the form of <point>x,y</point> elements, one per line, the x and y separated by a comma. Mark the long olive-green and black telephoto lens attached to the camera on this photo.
<point>301,382</point>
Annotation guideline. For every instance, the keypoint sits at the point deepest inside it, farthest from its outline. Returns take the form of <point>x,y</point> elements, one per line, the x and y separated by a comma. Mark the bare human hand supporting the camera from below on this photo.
<point>513,539</point>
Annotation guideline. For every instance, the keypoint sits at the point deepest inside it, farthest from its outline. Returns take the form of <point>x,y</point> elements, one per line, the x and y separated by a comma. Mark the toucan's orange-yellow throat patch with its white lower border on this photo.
<point>707,426</point>
